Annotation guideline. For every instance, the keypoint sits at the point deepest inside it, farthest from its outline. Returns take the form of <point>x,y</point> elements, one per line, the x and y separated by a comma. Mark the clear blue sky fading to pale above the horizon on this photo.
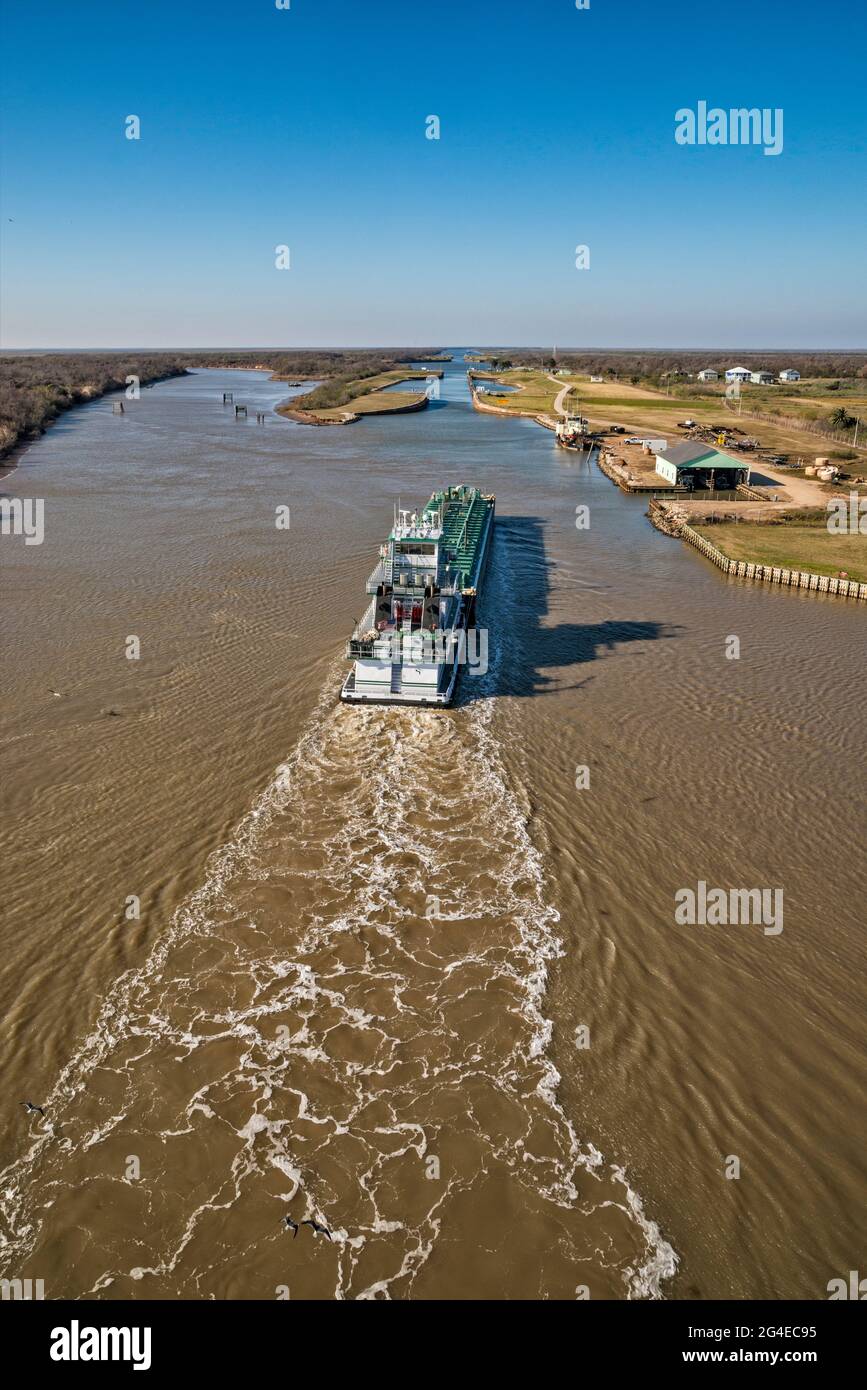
<point>308,127</point>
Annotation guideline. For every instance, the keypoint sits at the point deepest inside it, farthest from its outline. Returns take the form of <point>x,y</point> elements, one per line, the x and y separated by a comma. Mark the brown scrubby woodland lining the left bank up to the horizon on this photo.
<point>38,387</point>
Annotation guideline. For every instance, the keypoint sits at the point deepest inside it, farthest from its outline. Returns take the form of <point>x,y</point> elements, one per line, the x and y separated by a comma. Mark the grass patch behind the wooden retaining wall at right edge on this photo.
<point>801,546</point>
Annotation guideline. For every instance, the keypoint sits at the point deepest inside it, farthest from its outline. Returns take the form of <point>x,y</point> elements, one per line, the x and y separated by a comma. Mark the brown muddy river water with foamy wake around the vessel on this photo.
<point>372,943</point>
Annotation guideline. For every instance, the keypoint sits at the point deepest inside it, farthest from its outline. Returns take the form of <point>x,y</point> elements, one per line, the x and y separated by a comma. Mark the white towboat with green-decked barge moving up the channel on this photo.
<point>413,640</point>
